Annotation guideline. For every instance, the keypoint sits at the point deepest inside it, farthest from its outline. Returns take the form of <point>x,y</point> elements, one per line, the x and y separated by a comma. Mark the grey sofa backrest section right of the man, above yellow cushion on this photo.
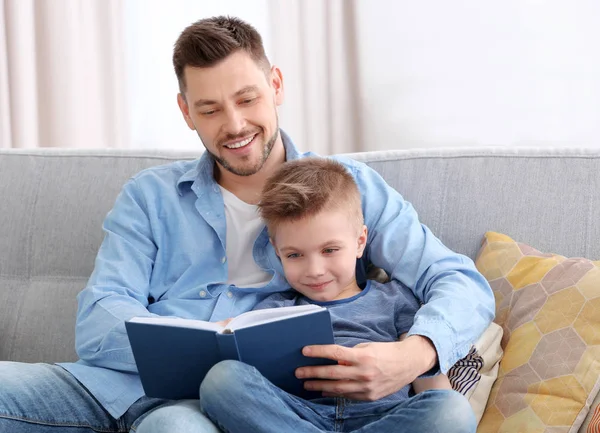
<point>547,198</point>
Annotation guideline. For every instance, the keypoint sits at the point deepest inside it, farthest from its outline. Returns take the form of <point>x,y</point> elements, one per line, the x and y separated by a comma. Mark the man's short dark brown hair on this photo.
<point>208,41</point>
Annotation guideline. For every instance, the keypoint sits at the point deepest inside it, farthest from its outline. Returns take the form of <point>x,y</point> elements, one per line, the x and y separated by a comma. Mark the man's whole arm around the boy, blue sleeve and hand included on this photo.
<point>458,302</point>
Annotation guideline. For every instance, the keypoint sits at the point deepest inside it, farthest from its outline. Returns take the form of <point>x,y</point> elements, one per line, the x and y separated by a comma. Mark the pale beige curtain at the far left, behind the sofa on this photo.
<point>62,74</point>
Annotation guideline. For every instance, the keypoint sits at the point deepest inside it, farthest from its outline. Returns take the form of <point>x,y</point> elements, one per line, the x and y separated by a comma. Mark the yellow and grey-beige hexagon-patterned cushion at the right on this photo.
<point>549,309</point>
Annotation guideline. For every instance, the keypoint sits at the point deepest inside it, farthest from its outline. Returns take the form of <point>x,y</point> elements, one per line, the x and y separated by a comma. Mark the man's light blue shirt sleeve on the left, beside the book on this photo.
<point>118,287</point>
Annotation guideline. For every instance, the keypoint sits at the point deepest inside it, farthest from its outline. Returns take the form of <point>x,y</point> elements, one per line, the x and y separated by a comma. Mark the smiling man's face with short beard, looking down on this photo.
<point>232,107</point>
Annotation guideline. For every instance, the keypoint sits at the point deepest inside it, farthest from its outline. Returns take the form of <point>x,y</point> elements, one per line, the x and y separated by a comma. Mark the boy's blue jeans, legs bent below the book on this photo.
<point>237,398</point>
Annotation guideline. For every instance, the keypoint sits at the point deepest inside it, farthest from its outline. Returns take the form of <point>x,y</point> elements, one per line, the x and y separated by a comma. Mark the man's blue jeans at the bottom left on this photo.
<point>44,398</point>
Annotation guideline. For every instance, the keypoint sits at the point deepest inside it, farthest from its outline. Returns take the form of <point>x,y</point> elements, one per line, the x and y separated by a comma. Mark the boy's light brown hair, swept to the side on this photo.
<point>304,187</point>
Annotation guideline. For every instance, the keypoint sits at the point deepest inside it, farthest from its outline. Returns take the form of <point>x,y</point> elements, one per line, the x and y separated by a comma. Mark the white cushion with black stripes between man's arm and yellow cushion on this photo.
<point>474,375</point>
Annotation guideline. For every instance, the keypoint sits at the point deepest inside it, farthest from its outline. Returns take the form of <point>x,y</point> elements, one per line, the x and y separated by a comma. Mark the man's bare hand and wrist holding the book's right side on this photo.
<point>368,371</point>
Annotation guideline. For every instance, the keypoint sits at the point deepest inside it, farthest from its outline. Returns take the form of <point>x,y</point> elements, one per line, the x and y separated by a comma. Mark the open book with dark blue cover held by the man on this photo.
<point>173,355</point>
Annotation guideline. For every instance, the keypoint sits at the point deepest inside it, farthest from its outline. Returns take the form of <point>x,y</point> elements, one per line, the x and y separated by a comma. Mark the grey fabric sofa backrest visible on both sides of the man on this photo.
<point>53,203</point>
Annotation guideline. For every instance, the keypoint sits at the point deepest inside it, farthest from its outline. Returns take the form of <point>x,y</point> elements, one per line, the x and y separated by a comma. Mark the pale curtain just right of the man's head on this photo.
<point>314,43</point>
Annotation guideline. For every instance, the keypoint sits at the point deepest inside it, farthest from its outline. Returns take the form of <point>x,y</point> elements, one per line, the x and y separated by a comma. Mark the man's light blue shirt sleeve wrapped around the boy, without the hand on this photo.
<point>458,301</point>
